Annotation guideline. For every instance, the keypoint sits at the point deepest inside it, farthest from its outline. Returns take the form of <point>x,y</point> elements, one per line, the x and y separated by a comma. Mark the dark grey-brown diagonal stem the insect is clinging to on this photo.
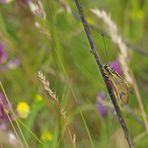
<point>100,65</point>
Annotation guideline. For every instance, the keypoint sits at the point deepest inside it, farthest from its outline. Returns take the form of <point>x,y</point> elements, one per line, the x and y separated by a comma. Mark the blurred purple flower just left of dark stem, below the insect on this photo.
<point>102,108</point>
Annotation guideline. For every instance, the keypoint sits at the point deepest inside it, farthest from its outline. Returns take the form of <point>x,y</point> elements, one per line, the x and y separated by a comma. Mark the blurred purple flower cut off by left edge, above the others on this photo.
<point>3,54</point>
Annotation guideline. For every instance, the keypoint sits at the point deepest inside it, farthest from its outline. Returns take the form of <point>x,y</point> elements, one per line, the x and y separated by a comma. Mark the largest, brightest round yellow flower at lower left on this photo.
<point>23,109</point>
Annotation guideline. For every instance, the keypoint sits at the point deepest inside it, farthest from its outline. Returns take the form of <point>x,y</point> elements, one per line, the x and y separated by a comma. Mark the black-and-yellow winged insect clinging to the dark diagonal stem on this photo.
<point>121,87</point>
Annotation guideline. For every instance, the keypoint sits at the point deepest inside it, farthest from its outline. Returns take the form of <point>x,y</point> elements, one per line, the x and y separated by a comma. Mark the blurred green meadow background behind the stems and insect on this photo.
<point>47,36</point>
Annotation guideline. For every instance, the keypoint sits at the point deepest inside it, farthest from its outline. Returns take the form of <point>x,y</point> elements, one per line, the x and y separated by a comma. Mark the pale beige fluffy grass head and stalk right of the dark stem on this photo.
<point>123,57</point>
